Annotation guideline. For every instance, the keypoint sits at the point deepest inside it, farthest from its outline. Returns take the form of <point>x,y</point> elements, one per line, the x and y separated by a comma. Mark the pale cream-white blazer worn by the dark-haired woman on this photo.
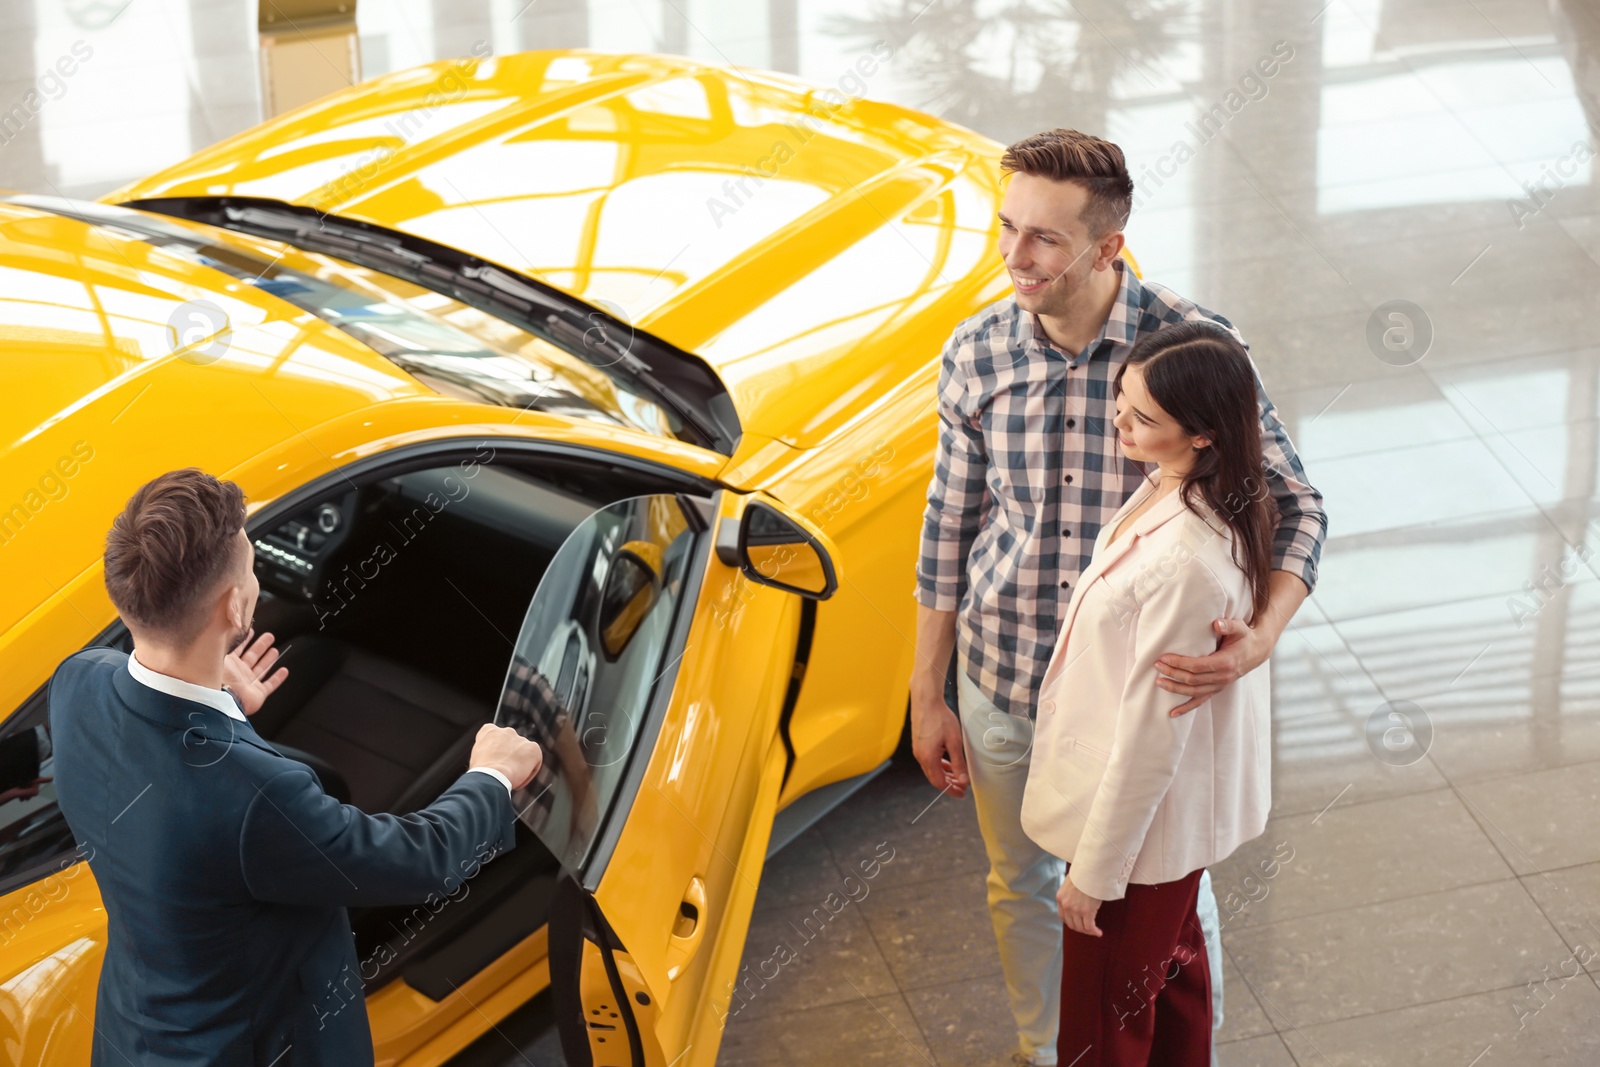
<point>1116,785</point>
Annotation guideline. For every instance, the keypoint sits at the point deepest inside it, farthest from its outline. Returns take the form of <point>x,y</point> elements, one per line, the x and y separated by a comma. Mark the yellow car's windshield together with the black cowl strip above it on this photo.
<point>586,367</point>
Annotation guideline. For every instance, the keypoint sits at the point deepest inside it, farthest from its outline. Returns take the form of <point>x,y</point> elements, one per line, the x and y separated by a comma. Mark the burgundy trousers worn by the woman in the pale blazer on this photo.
<point>1142,993</point>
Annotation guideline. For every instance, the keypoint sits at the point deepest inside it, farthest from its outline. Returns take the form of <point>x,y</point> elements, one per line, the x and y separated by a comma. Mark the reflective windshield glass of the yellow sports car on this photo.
<point>455,348</point>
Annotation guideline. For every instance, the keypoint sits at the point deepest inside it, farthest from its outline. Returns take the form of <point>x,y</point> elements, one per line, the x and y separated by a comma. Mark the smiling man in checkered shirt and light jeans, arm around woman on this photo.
<point>1026,474</point>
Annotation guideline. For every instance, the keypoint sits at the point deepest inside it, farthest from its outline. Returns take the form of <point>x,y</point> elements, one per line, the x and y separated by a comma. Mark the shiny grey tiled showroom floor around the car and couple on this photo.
<point>1430,908</point>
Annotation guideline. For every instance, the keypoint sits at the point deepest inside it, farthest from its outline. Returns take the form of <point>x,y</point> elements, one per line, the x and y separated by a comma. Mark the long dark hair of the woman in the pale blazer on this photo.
<point>1202,377</point>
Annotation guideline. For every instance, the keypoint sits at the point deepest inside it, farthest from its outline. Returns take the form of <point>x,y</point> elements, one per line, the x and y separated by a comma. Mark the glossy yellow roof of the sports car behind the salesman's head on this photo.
<point>102,394</point>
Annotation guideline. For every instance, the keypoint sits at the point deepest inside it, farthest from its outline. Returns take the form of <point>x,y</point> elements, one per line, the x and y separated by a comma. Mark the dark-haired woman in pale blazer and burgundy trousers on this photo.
<point>1138,801</point>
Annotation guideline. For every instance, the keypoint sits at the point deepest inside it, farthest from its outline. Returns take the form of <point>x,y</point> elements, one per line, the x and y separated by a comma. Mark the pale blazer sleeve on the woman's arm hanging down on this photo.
<point>1177,618</point>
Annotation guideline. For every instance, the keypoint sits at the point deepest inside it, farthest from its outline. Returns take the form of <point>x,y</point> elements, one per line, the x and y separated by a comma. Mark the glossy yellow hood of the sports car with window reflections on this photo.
<point>815,250</point>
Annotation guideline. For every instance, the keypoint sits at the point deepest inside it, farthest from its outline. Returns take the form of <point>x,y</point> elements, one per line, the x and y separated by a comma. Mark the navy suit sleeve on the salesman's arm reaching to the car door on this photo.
<point>300,845</point>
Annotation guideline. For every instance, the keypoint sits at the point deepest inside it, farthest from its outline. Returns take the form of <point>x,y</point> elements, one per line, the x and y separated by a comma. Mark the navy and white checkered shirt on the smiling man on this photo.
<point>1028,471</point>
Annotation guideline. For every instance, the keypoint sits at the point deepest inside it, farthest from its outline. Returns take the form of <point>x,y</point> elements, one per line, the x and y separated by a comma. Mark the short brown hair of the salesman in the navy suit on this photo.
<point>169,549</point>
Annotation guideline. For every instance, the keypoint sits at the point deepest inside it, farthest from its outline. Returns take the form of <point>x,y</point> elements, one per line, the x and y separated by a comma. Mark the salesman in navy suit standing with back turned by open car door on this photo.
<point>225,868</point>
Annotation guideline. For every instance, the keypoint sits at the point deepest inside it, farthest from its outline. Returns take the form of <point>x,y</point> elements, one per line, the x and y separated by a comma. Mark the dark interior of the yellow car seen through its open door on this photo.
<point>396,602</point>
